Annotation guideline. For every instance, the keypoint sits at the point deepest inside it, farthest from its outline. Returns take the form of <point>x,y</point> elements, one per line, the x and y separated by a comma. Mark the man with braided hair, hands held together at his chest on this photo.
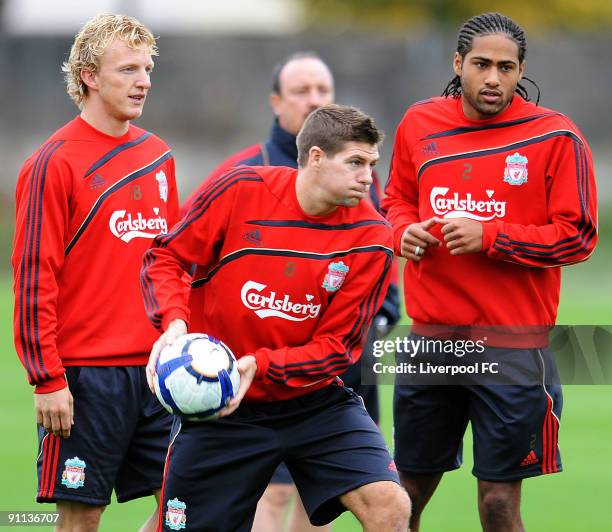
<point>489,195</point>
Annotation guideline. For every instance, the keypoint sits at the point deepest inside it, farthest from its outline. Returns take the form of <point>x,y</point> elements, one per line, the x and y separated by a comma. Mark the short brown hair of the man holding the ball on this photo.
<point>331,126</point>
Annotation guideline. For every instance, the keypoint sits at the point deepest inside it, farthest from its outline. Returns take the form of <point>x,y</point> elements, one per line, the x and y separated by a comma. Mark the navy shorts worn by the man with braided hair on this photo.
<point>515,427</point>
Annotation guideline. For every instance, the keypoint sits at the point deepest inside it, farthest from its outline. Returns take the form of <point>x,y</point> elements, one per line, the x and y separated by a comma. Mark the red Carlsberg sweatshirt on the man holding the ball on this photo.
<point>295,291</point>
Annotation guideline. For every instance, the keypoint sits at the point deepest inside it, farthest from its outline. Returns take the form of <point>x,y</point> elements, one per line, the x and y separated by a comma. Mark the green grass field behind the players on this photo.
<point>576,500</point>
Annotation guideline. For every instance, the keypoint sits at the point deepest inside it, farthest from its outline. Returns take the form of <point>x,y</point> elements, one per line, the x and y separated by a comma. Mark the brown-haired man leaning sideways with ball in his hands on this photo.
<point>307,238</point>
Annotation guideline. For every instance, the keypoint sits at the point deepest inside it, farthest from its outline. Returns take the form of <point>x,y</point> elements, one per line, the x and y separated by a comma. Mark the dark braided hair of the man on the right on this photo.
<point>490,24</point>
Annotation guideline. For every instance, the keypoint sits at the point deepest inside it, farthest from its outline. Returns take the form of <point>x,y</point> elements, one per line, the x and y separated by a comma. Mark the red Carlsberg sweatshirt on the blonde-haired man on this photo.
<point>88,206</point>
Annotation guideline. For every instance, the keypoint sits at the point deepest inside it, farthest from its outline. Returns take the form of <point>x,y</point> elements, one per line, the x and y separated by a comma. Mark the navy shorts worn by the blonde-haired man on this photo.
<point>119,440</point>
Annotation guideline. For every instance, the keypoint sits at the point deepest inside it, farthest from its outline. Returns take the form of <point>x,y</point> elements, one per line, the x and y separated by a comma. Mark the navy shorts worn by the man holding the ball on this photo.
<point>217,470</point>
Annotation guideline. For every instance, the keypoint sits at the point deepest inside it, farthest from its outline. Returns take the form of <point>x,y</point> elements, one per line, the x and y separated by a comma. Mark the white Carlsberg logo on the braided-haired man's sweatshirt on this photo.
<point>456,206</point>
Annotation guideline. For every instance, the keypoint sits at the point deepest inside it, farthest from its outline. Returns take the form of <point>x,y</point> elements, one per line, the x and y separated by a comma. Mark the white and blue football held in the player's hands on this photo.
<point>196,376</point>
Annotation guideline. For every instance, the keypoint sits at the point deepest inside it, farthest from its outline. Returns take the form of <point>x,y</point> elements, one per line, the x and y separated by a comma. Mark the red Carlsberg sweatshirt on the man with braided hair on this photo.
<point>527,175</point>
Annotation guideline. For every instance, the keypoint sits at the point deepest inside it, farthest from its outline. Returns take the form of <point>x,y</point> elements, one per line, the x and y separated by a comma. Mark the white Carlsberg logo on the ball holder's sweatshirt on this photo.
<point>267,305</point>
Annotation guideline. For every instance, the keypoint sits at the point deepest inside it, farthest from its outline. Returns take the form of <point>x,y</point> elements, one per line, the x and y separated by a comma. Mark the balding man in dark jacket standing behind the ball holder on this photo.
<point>301,83</point>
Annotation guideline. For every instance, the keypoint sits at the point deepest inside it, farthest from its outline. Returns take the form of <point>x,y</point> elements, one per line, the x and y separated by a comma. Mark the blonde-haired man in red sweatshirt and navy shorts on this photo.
<point>89,202</point>
